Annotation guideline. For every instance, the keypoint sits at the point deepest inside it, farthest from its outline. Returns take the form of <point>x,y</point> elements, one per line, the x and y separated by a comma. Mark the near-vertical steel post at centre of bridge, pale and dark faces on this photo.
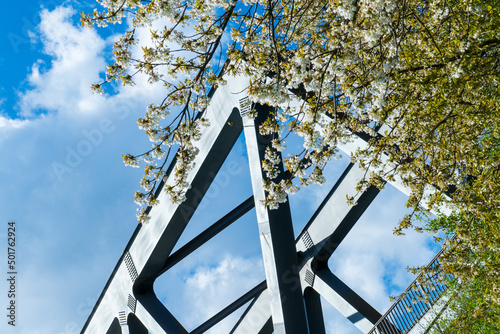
<point>276,237</point>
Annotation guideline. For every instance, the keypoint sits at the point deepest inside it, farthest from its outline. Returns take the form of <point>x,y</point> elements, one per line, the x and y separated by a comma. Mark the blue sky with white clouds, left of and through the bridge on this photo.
<point>63,182</point>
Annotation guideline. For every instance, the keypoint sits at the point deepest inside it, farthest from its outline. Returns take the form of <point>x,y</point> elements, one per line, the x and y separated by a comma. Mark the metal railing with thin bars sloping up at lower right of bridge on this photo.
<point>414,302</point>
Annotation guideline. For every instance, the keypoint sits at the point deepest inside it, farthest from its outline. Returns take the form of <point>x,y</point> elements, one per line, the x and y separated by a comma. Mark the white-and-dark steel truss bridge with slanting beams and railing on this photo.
<point>296,269</point>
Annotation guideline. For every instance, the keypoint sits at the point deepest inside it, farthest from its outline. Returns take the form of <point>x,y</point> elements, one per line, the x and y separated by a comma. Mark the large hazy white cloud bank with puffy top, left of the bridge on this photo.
<point>74,223</point>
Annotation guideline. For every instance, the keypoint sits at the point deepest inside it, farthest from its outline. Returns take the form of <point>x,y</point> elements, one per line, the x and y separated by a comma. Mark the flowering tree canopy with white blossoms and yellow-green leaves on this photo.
<point>420,78</point>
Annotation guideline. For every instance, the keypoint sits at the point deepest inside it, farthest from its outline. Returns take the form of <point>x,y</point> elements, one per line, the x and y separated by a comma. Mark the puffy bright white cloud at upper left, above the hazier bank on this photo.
<point>77,61</point>
